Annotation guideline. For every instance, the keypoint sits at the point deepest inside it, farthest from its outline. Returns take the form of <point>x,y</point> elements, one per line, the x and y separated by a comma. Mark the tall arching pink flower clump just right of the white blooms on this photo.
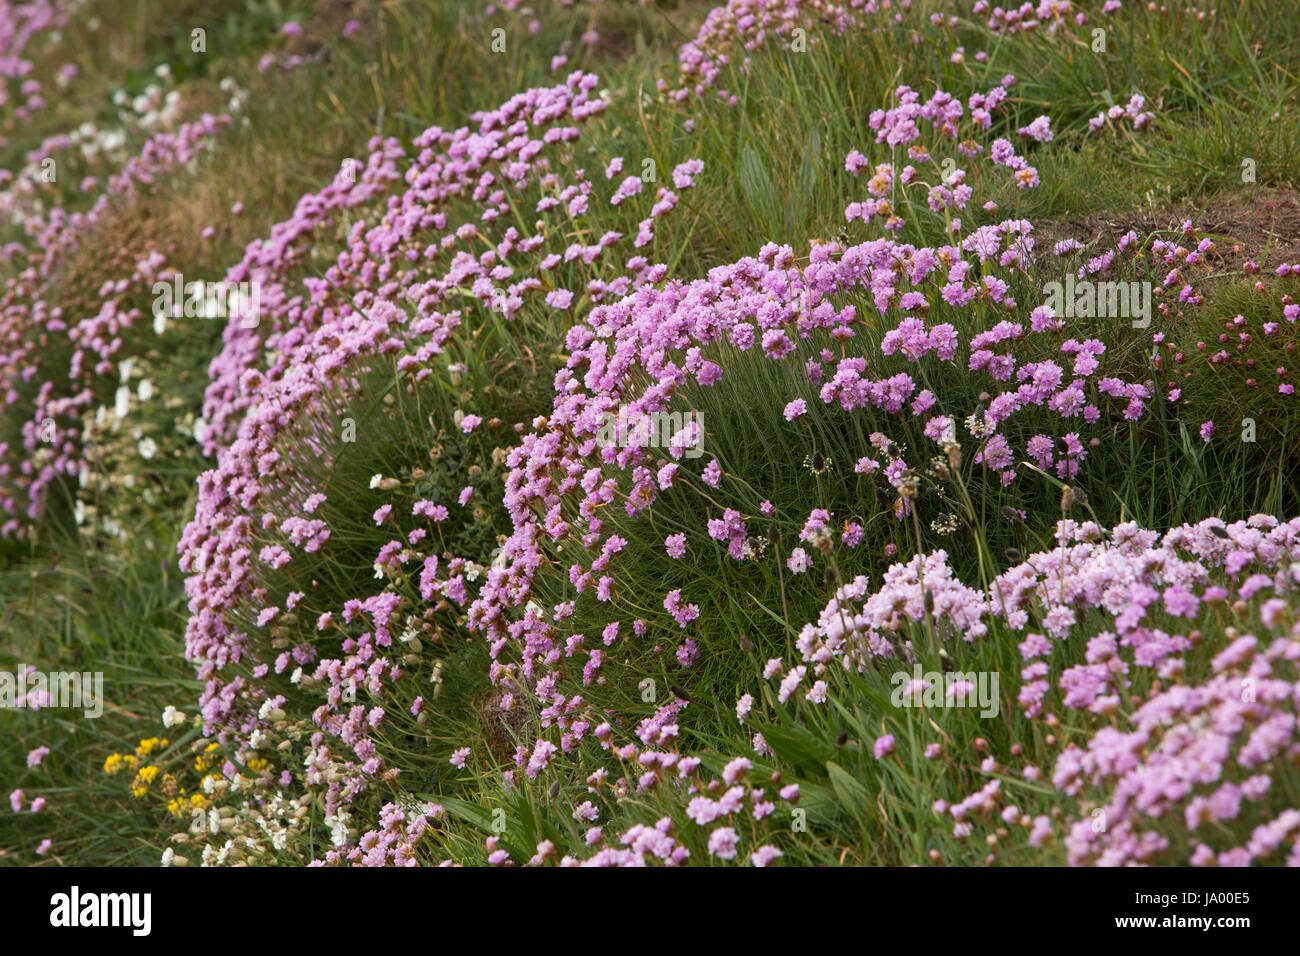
<point>283,391</point>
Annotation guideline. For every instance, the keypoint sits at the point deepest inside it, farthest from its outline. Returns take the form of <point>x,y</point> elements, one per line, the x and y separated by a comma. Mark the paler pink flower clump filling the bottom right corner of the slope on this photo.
<point>1194,750</point>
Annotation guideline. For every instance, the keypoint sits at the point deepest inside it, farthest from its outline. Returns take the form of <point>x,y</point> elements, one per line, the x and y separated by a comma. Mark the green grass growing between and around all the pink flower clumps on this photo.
<point>774,172</point>
